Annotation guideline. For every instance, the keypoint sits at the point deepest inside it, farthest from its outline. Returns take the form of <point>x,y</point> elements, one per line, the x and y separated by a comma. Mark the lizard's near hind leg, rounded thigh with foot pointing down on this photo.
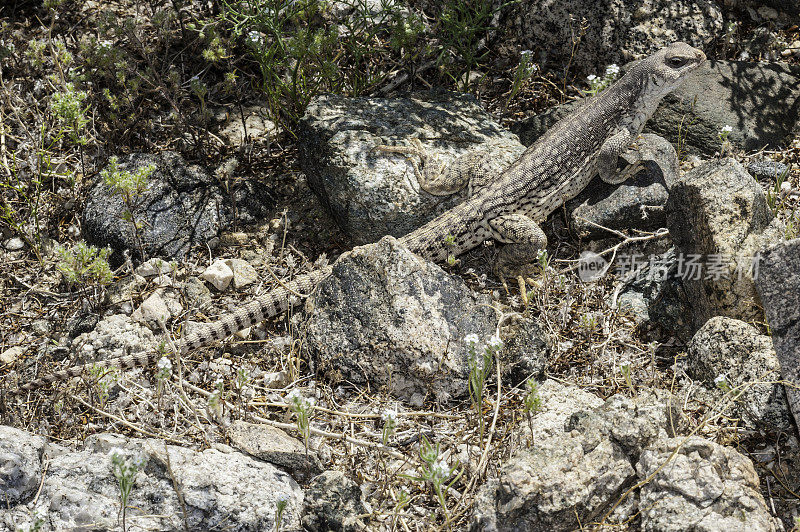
<point>524,240</point>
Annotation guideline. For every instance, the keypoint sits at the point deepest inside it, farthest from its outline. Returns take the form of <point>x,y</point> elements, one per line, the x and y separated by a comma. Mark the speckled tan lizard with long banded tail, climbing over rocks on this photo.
<point>507,208</point>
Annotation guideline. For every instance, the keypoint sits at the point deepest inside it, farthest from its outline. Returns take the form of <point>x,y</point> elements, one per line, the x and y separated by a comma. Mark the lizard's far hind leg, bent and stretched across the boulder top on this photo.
<point>472,170</point>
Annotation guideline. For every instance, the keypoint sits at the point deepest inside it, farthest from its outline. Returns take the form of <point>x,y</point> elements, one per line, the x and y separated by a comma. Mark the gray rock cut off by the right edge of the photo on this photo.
<point>779,287</point>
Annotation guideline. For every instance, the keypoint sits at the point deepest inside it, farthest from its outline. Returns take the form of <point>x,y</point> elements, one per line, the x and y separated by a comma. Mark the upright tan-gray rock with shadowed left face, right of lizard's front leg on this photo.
<point>717,214</point>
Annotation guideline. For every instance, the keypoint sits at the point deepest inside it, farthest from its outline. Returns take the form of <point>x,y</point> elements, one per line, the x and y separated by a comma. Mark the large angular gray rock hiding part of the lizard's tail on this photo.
<point>390,318</point>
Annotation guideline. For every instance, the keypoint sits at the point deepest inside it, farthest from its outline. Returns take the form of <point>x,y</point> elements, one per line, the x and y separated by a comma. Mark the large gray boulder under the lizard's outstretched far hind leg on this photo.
<point>372,194</point>
